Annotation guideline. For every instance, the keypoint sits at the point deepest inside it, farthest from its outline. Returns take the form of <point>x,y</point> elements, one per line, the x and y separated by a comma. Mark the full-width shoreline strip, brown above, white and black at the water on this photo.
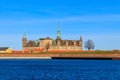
<point>60,56</point>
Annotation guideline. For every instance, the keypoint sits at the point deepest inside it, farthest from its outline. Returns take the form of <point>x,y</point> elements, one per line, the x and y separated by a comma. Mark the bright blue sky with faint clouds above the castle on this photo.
<point>98,20</point>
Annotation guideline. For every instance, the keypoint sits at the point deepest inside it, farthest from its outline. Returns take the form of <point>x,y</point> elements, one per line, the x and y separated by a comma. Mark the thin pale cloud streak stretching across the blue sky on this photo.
<point>93,18</point>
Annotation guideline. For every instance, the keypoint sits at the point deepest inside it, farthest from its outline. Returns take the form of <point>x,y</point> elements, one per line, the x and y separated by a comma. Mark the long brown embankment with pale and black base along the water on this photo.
<point>35,55</point>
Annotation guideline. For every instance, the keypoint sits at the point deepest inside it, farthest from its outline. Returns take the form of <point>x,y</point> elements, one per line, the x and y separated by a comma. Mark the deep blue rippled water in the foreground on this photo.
<point>59,70</point>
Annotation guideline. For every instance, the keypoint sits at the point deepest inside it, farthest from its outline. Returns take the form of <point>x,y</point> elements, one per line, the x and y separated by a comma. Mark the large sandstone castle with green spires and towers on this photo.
<point>49,44</point>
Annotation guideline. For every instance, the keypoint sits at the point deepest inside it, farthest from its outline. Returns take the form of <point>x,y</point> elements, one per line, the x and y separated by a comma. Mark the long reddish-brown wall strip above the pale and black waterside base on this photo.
<point>60,55</point>
